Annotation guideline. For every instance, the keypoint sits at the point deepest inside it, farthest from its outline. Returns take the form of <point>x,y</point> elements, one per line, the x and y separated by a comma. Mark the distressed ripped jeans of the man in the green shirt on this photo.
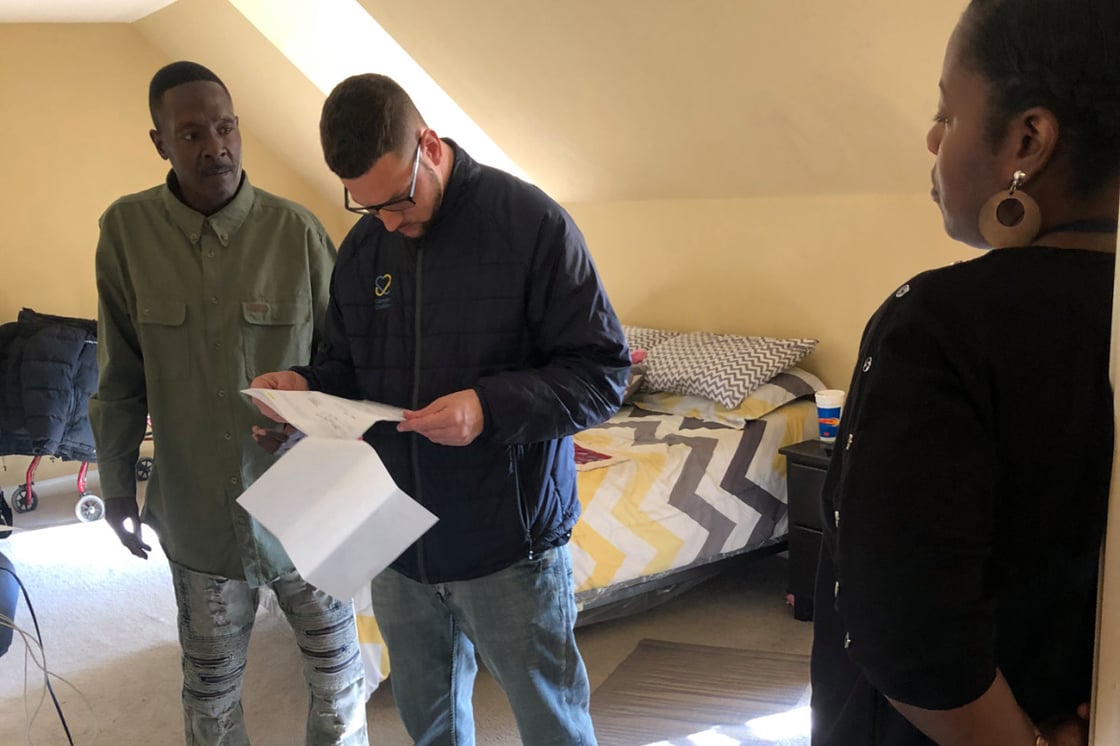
<point>216,620</point>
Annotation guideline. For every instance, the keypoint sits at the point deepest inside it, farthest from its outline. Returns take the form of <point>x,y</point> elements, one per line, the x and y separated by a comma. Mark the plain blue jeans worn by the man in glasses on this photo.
<point>520,621</point>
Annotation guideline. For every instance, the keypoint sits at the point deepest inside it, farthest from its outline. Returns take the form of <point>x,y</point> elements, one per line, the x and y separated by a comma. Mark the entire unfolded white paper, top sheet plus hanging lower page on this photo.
<point>330,500</point>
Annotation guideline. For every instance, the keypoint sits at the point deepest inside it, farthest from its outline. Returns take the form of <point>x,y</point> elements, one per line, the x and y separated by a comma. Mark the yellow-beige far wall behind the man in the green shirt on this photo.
<point>73,138</point>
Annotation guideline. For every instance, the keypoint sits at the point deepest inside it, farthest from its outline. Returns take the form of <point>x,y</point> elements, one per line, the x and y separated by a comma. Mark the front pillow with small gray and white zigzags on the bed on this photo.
<point>724,368</point>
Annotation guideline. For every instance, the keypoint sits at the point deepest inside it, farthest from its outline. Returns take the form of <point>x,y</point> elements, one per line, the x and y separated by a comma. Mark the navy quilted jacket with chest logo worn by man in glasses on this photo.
<point>500,296</point>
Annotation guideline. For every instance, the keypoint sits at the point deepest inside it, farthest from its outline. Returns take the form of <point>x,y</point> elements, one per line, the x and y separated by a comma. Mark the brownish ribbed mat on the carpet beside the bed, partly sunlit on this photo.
<point>668,693</point>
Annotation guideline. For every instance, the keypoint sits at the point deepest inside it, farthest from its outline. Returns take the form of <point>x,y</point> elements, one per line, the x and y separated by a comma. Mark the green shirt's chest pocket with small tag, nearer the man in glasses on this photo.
<point>277,335</point>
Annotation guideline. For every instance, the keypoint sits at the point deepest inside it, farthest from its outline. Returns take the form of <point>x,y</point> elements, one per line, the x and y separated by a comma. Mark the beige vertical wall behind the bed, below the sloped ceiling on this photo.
<point>806,267</point>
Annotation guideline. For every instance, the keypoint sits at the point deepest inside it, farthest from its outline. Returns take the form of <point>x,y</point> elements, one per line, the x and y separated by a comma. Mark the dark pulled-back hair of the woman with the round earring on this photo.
<point>1063,55</point>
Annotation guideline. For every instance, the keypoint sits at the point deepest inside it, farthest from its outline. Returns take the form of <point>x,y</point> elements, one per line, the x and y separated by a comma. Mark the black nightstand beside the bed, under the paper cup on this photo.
<point>807,463</point>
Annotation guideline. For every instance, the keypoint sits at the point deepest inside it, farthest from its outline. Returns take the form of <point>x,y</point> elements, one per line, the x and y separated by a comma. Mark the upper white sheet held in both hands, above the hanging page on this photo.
<point>324,416</point>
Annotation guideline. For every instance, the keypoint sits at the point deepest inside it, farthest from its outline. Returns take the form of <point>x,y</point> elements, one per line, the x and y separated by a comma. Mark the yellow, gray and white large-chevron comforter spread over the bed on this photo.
<point>671,493</point>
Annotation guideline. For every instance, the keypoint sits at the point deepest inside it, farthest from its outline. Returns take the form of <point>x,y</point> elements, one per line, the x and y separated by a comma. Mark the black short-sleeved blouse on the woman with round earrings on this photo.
<point>966,500</point>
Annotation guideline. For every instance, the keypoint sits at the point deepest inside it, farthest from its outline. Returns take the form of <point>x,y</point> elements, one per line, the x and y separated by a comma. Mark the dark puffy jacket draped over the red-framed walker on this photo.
<point>49,369</point>
